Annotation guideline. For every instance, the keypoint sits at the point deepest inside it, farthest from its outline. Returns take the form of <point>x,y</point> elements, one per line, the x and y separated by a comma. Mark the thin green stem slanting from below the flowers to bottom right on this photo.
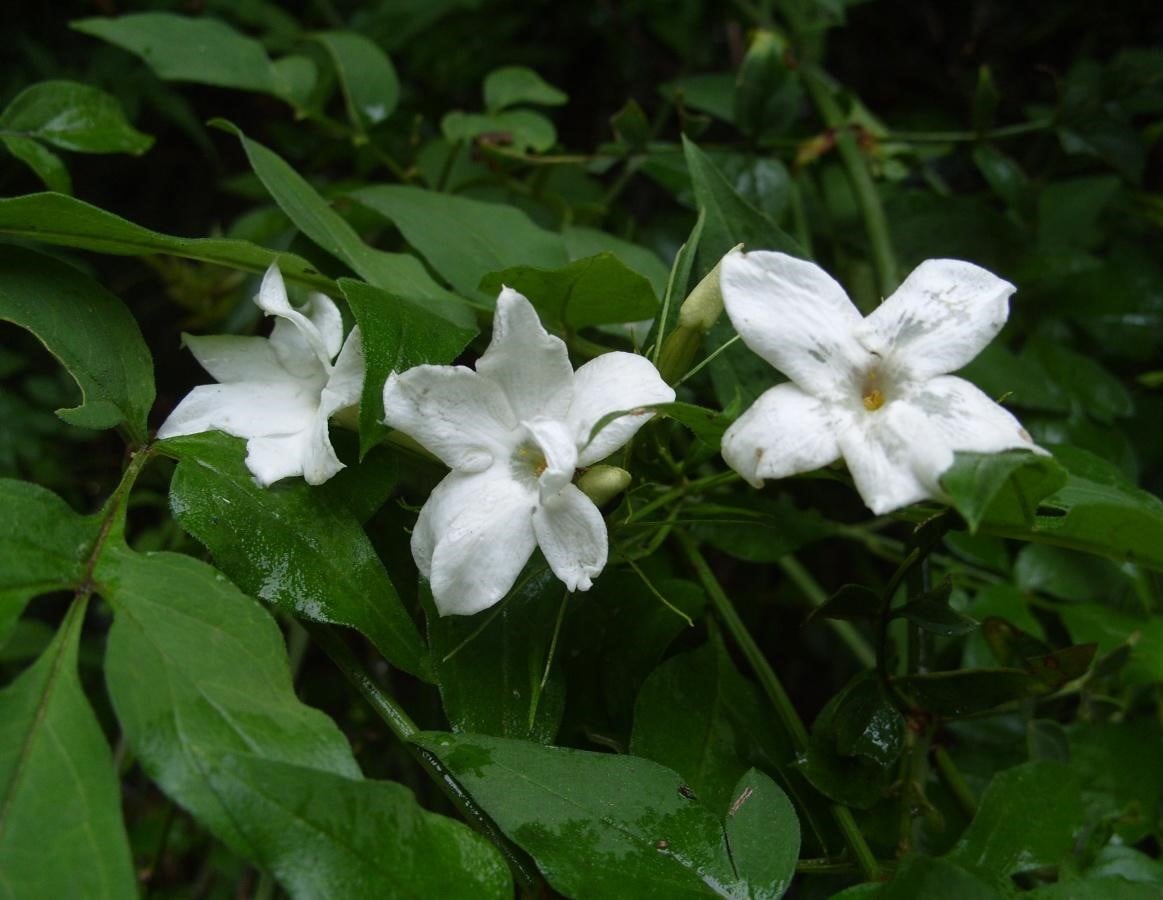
<point>776,694</point>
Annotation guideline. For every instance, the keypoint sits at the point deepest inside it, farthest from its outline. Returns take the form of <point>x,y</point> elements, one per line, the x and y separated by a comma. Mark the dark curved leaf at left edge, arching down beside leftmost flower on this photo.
<point>89,331</point>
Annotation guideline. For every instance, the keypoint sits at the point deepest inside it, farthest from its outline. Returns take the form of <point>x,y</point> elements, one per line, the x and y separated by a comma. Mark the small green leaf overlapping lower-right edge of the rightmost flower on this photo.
<point>1001,488</point>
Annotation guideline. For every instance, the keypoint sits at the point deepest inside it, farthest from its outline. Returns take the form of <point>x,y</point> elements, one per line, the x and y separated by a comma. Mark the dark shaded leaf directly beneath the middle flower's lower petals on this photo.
<point>490,667</point>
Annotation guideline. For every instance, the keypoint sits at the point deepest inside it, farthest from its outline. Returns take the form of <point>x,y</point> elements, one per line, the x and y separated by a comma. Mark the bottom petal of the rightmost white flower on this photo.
<point>895,456</point>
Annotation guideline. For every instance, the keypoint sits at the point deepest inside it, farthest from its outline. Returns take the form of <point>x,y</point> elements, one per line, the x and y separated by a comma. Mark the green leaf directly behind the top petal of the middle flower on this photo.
<point>600,290</point>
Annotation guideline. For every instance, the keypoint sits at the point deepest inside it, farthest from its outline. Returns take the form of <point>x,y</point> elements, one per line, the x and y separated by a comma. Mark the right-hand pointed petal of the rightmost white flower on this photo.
<point>968,420</point>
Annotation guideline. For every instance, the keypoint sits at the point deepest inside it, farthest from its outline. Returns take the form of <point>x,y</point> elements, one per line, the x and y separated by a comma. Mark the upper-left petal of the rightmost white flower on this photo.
<point>796,317</point>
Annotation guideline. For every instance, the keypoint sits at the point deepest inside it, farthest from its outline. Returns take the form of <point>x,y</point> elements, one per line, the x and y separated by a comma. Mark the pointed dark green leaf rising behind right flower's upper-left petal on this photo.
<point>731,219</point>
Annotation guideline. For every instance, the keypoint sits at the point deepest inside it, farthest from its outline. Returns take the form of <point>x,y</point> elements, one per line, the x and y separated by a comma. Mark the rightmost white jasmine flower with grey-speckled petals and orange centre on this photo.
<point>872,390</point>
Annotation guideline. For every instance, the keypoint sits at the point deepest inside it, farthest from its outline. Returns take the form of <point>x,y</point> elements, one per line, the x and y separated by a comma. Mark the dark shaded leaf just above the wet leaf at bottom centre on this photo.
<point>698,716</point>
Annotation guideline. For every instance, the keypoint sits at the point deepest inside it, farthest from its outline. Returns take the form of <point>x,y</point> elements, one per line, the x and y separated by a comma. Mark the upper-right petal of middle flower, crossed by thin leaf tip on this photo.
<point>609,384</point>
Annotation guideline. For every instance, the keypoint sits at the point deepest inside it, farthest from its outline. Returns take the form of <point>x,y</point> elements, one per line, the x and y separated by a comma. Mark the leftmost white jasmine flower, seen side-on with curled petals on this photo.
<point>277,392</point>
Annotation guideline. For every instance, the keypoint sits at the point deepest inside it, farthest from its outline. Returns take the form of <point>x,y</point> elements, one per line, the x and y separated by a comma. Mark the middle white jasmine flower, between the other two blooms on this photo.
<point>515,432</point>
